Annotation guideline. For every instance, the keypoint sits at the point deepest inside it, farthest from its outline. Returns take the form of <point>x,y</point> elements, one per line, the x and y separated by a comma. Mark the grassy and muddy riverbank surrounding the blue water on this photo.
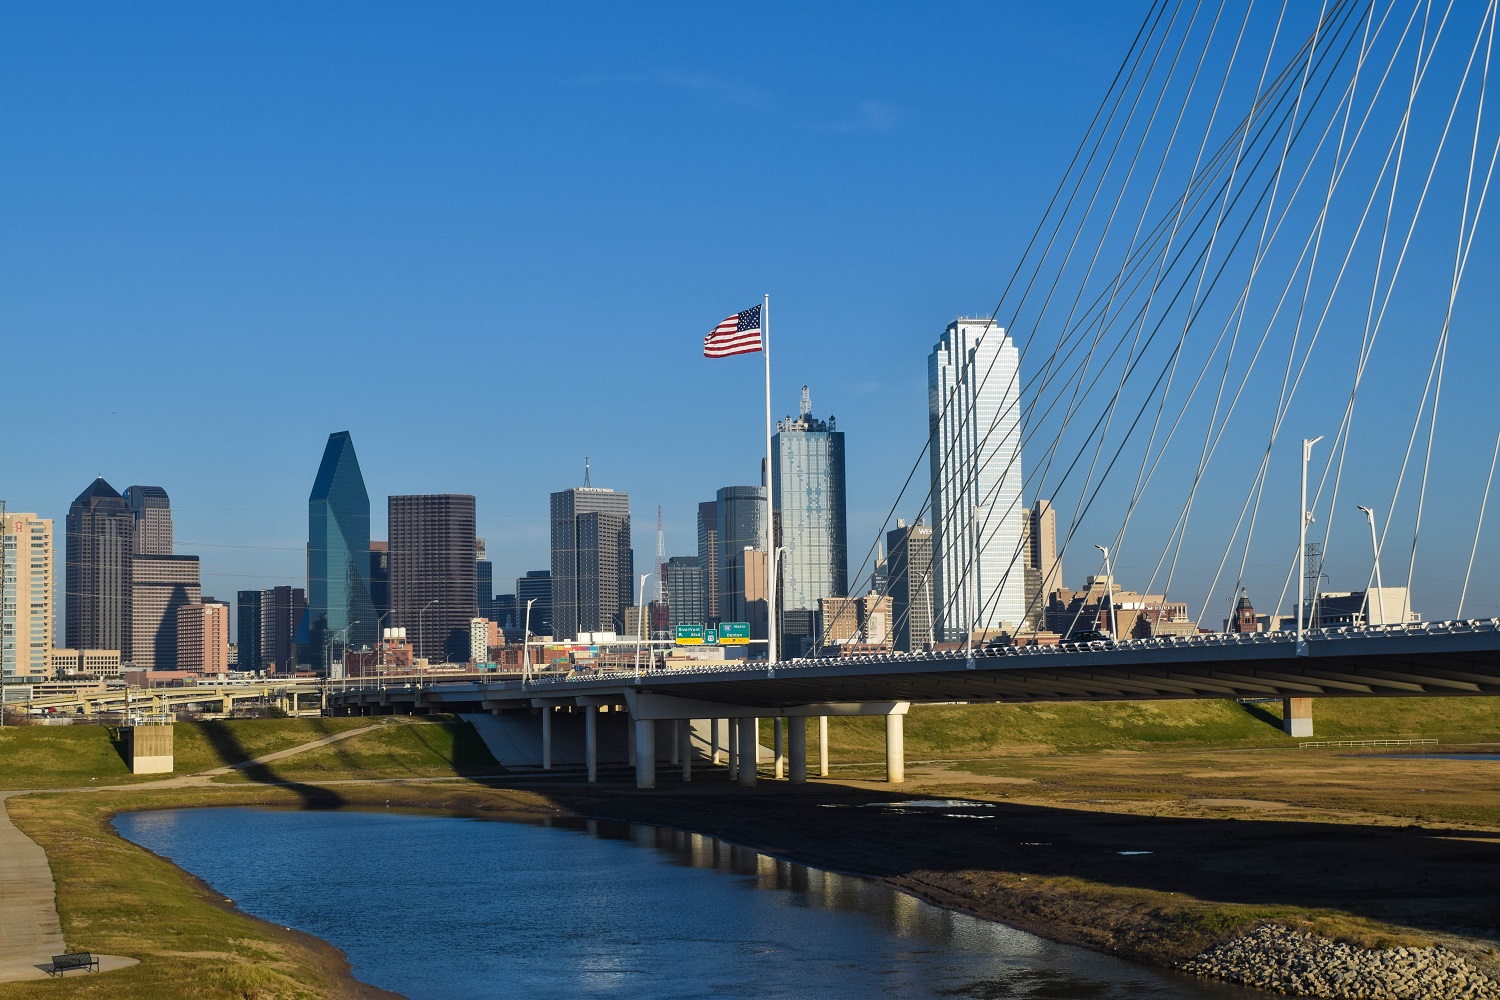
<point>1154,857</point>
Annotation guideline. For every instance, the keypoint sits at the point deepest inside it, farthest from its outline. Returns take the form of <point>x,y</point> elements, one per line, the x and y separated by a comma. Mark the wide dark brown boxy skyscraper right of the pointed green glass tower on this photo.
<point>433,572</point>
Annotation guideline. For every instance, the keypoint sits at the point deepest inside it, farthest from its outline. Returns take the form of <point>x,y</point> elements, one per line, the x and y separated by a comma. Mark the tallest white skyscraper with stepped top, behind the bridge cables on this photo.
<point>976,439</point>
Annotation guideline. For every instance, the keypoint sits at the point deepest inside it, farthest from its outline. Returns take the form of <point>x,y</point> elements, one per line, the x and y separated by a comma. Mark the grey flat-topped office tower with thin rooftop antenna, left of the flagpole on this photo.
<point>593,564</point>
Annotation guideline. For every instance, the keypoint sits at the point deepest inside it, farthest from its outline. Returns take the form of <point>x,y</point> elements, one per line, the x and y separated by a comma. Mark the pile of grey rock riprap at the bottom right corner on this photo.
<point>1283,960</point>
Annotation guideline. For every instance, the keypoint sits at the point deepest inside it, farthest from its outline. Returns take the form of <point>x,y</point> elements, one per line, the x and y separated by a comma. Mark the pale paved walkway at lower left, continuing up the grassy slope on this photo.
<point>31,930</point>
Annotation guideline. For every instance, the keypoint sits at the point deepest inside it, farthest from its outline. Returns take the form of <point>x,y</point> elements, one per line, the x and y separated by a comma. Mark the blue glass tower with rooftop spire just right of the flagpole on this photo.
<point>812,525</point>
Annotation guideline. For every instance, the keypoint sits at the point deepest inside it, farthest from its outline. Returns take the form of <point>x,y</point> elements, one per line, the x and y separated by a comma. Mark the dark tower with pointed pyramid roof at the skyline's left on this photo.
<point>101,540</point>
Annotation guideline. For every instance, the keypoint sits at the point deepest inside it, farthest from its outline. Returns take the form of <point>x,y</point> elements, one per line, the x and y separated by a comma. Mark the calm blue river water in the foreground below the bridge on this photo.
<point>455,909</point>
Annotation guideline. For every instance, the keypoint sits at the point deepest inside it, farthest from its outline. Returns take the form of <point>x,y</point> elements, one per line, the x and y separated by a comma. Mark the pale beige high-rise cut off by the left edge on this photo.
<point>28,594</point>
